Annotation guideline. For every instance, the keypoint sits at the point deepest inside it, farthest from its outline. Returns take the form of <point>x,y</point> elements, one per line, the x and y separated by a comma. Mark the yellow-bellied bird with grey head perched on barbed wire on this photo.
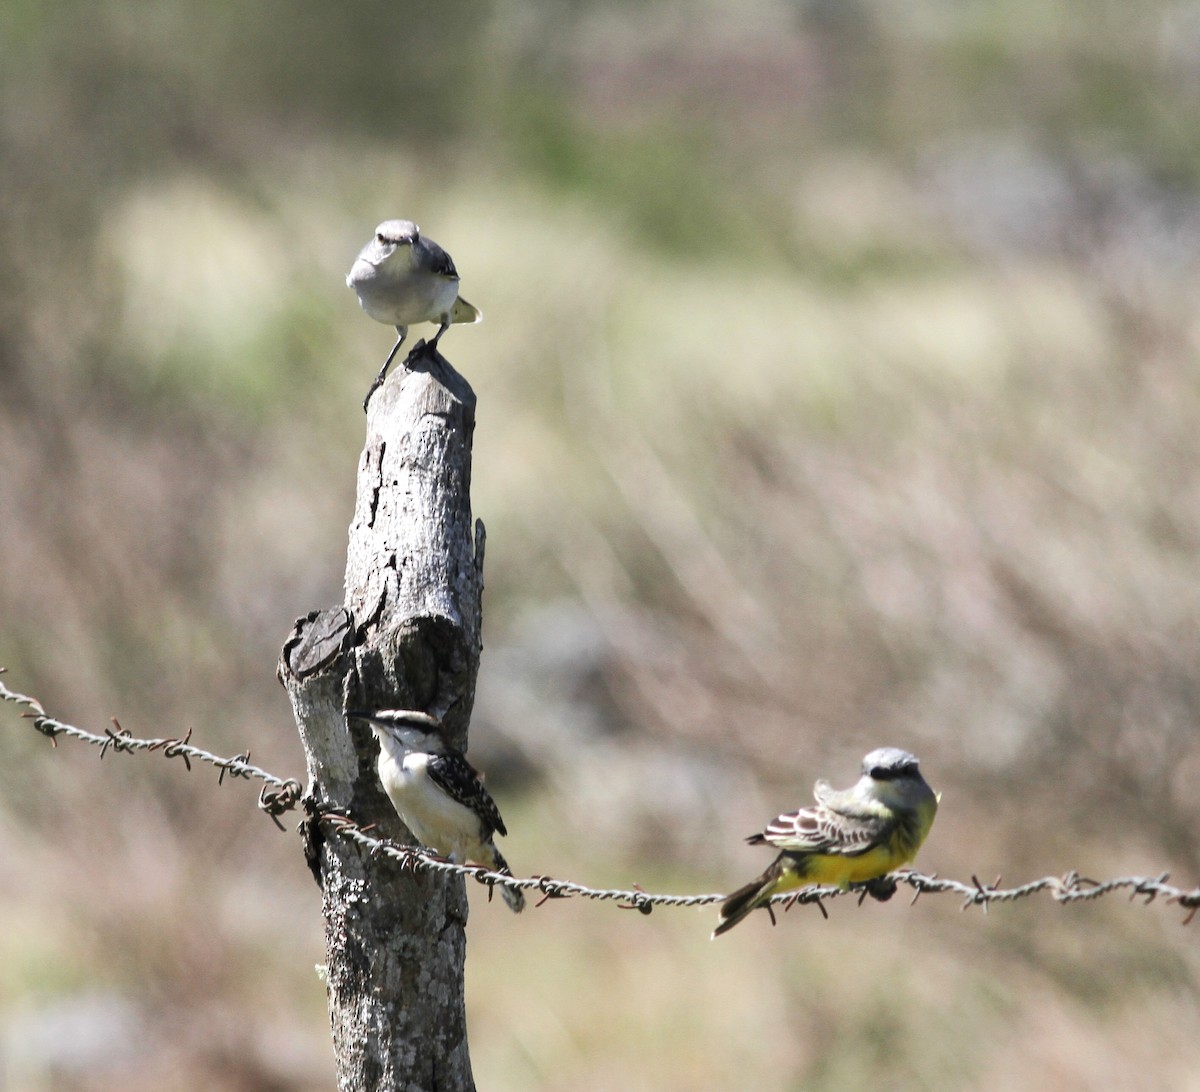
<point>851,836</point>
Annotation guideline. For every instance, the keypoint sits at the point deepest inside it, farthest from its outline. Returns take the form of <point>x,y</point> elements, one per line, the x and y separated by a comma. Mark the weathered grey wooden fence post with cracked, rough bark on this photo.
<point>409,638</point>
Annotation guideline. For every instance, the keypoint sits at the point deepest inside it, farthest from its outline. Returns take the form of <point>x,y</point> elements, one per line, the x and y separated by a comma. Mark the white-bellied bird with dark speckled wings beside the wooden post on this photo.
<point>439,794</point>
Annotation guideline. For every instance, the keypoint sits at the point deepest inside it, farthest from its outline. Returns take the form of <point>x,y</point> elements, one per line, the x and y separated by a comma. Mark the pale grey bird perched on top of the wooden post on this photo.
<point>401,278</point>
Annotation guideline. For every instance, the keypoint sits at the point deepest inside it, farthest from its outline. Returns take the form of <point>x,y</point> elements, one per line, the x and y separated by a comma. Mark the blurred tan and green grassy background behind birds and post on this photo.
<point>838,388</point>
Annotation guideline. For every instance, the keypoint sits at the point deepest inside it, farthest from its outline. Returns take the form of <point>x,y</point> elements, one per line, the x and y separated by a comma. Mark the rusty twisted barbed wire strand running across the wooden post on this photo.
<point>283,795</point>
